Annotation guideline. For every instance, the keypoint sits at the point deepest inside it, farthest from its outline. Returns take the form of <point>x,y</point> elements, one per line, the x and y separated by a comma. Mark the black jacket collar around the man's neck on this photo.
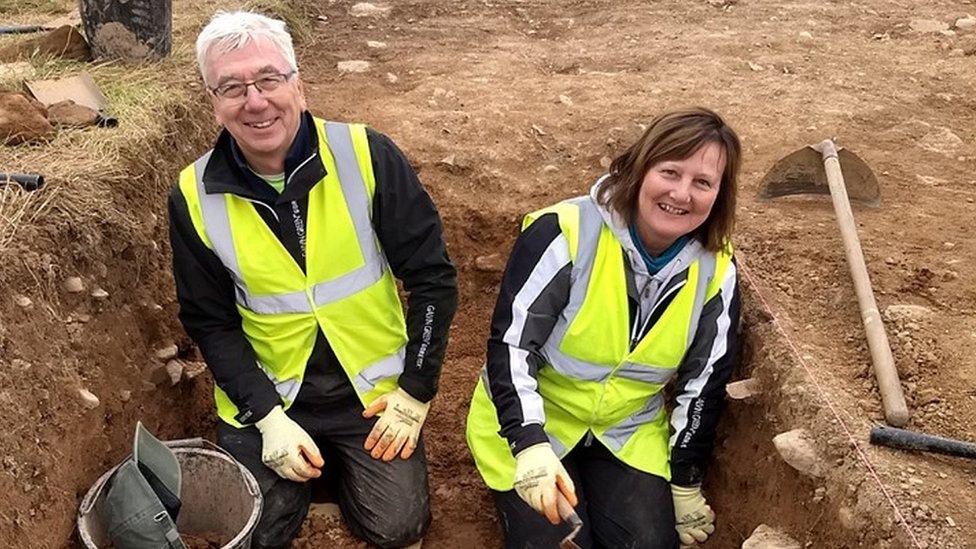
<point>227,171</point>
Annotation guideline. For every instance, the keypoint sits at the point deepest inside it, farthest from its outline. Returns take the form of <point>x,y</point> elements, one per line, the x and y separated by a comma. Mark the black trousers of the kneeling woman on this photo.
<point>620,507</point>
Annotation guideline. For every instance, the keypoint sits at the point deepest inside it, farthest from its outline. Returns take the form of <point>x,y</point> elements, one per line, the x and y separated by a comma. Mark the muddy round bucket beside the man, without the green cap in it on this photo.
<point>219,495</point>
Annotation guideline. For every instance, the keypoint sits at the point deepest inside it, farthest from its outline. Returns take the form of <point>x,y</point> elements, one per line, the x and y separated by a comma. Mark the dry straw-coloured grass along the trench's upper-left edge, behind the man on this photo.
<point>103,183</point>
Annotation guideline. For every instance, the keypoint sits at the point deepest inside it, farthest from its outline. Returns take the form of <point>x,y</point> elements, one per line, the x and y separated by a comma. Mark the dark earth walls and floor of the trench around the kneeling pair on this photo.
<point>749,483</point>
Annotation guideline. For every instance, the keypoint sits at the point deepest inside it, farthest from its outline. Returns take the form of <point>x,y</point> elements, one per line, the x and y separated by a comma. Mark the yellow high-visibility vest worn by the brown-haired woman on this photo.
<point>592,380</point>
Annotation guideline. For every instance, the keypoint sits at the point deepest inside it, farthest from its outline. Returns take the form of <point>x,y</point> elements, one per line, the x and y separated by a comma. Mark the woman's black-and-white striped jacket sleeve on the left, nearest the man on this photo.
<point>533,292</point>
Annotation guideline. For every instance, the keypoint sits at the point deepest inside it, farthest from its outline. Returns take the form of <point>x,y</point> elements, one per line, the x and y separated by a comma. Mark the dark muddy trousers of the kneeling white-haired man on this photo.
<point>385,503</point>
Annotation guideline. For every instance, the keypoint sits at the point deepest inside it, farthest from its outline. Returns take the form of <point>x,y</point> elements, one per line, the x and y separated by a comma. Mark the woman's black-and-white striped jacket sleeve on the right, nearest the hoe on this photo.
<point>700,389</point>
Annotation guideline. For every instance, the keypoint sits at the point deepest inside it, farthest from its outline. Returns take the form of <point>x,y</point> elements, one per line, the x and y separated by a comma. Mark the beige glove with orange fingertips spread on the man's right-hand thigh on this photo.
<point>398,429</point>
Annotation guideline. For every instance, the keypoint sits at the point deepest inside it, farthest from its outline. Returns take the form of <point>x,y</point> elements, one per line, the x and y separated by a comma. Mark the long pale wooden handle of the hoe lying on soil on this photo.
<point>896,411</point>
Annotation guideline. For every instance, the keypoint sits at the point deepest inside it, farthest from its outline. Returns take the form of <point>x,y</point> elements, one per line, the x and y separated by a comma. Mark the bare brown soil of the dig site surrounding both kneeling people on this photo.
<point>505,106</point>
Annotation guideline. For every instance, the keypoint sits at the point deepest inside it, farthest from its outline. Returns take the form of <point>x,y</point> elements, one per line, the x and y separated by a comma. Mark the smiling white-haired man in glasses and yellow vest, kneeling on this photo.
<point>286,239</point>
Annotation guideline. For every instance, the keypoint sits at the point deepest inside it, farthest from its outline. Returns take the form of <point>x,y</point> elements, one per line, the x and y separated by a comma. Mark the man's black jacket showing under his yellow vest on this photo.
<point>409,230</point>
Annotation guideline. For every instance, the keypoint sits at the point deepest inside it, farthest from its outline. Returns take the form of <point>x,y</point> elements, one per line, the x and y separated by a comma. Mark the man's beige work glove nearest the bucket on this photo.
<point>287,448</point>
